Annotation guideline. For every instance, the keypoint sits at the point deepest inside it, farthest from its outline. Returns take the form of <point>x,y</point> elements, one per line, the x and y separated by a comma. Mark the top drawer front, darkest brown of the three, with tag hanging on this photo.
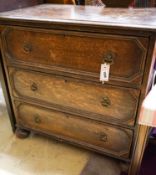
<point>78,53</point>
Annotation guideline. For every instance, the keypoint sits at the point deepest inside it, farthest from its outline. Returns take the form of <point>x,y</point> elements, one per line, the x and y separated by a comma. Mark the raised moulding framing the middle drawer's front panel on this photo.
<point>71,110</point>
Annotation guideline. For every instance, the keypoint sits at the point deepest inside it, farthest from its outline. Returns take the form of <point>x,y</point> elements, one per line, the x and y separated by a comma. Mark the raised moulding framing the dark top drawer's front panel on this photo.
<point>79,72</point>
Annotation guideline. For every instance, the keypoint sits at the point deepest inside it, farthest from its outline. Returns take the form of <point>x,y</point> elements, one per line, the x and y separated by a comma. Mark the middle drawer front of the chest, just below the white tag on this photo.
<point>96,101</point>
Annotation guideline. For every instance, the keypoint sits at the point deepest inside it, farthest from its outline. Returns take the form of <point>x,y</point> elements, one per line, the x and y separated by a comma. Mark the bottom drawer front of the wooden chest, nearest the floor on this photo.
<point>94,135</point>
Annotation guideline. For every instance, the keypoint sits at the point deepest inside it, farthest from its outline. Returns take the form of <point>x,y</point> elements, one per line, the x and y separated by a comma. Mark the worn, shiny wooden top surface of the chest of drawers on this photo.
<point>82,15</point>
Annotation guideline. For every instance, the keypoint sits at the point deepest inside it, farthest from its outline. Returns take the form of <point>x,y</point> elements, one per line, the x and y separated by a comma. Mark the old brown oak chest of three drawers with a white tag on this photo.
<point>52,57</point>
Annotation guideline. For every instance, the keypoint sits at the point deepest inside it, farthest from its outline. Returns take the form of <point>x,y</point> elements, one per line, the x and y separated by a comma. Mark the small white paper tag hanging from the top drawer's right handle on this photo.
<point>104,73</point>
